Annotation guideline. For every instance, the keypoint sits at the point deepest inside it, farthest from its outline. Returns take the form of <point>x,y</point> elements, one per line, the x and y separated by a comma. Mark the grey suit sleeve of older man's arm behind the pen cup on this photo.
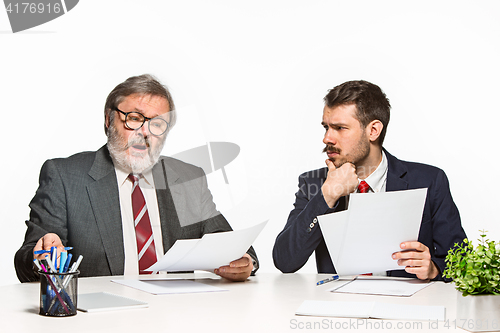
<point>48,214</point>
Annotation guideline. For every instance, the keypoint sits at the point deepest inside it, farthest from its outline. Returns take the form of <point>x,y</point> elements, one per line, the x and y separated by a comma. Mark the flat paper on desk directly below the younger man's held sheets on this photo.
<point>387,287</point>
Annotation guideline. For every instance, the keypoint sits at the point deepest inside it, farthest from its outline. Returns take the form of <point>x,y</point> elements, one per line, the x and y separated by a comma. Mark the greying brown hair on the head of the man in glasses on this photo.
<point>145,84</point>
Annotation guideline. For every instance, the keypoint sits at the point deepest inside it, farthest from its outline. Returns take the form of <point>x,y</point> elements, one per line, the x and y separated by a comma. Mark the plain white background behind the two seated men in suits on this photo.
<point>254,73</point>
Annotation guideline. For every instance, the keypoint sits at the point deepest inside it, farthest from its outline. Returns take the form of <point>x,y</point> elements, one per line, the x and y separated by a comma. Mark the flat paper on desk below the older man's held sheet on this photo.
<point>167,286</point>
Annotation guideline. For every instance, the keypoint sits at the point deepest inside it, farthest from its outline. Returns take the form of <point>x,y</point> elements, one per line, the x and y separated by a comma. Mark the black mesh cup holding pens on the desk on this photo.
<point>58,294</point>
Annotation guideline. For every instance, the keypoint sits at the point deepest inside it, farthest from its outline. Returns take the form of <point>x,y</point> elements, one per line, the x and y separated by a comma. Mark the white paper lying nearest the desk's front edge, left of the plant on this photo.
<point>376,310</point>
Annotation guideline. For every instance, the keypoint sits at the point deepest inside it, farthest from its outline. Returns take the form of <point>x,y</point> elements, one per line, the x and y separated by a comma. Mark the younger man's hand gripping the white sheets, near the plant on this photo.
<point>417,260</point>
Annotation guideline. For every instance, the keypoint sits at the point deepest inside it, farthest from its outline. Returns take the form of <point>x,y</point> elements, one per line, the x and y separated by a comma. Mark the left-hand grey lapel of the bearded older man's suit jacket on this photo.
<point>105,202</point>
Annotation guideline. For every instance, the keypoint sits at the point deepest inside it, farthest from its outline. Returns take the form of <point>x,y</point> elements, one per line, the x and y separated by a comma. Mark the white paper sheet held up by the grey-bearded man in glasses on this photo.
<point>209,252</point>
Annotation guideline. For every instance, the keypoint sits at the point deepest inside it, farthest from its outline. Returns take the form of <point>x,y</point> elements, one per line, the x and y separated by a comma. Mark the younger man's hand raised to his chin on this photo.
<point>339,182</point>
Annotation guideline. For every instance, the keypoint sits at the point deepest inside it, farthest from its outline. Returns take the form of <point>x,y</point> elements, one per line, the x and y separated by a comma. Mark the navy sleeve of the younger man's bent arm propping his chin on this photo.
<point>301,234</point>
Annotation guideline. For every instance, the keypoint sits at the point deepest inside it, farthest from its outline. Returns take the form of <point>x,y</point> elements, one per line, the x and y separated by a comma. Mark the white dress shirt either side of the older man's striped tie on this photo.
<point>146,184</point>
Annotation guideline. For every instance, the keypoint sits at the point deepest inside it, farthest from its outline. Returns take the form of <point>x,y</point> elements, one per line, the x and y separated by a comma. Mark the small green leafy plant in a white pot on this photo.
<point>476,274</point>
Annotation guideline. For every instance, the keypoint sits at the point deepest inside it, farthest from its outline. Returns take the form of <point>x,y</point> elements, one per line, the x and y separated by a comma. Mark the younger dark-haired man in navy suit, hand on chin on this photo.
<point>355,119</point>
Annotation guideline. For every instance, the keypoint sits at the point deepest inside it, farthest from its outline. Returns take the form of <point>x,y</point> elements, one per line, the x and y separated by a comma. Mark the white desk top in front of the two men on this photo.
<point>264,303</point>
